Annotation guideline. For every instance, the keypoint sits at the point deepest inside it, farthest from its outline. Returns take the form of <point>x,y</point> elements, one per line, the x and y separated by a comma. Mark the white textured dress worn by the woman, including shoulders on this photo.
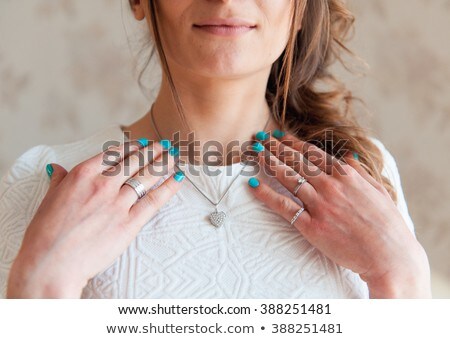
<point>178,254</point>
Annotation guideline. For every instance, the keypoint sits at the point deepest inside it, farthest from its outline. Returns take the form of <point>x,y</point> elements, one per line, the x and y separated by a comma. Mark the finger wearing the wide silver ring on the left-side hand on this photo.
<point>149,176</point>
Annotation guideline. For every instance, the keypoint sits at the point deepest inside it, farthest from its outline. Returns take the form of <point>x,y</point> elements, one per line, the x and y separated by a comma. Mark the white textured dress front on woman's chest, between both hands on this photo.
<point>255,254</point>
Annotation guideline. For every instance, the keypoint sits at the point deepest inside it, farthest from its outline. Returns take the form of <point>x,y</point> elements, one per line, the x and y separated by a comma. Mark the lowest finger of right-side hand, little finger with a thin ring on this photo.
<point>281,204</point>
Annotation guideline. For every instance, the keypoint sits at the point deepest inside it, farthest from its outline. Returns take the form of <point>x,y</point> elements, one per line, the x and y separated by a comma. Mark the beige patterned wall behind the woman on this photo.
<point>66,71</point>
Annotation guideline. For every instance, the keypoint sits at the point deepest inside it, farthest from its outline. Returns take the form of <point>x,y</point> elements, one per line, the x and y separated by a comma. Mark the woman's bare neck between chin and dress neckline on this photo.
<point>228,111</point>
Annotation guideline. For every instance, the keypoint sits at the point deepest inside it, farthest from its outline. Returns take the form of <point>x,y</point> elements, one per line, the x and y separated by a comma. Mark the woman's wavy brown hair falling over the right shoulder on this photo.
<point>324,118</point>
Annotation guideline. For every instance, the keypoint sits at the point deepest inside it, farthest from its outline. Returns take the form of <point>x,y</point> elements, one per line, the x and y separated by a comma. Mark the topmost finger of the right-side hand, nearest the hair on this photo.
<point>324,161</point>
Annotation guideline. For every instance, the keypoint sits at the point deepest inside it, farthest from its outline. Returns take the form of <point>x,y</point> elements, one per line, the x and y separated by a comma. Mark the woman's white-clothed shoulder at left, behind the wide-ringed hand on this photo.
<point>25,184</point>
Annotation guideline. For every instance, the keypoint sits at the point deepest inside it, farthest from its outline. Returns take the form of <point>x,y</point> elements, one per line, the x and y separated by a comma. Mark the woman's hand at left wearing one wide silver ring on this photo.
<point>88,218</point>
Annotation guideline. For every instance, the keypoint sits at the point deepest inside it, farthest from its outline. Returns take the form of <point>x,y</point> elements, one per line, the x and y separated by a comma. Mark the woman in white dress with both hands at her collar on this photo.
<point>307,223</point>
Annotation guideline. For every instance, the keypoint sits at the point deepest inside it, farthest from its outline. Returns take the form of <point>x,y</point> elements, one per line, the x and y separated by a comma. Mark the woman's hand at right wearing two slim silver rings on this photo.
<point>348,216</point>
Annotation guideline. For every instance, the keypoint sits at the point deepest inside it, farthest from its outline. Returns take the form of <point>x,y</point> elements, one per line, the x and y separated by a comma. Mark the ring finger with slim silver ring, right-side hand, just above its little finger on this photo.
<point>288,177</point>
